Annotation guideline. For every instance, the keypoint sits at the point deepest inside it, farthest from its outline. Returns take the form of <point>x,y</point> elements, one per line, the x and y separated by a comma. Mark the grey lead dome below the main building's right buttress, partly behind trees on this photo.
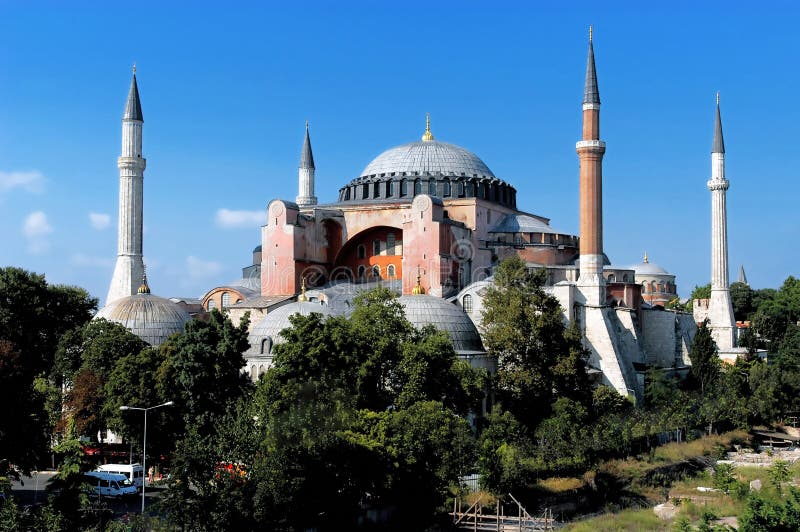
<point>423,310</point>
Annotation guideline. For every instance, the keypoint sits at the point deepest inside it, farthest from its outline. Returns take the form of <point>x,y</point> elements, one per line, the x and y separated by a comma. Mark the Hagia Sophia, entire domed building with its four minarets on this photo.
<point>430,221</point>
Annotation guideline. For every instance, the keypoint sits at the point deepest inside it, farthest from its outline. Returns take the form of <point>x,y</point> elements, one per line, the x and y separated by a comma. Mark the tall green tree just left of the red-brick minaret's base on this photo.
<point>537,358</point>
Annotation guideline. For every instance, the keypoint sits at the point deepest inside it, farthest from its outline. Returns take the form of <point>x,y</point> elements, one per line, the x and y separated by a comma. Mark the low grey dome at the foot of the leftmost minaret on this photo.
<point>151,318</point>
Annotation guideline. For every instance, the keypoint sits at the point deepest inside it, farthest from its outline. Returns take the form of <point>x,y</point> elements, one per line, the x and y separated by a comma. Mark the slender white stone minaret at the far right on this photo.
<point>720,309</point>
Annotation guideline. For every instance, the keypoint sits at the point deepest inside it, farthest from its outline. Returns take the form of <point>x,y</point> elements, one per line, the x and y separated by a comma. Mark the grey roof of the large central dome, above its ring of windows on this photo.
<point>428,157</point>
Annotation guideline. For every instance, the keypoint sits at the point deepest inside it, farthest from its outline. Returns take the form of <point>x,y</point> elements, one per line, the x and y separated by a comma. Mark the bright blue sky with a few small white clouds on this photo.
<point>226,91</point>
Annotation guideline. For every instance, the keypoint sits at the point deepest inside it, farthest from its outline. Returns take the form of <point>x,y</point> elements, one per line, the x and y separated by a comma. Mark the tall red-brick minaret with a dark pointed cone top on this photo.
<point>590,152</point>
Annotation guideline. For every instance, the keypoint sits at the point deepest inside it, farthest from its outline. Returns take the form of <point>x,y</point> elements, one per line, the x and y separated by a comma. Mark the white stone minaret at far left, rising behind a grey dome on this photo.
<point>129,269</point>
